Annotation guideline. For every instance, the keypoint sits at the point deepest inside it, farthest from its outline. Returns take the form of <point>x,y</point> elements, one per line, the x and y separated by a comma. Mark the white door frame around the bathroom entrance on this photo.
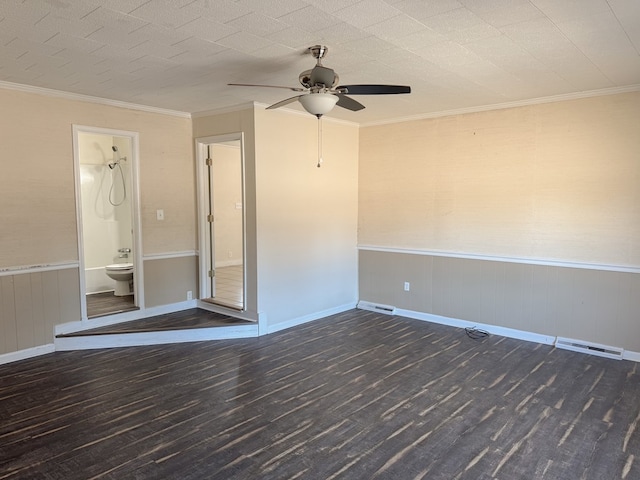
<point>138,278</point>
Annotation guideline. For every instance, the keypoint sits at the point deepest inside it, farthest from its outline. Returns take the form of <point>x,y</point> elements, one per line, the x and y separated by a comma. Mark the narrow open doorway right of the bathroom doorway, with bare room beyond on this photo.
<point>222,221</point>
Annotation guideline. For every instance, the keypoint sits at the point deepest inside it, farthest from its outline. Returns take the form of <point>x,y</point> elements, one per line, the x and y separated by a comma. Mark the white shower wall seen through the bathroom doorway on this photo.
<point>105,227</point>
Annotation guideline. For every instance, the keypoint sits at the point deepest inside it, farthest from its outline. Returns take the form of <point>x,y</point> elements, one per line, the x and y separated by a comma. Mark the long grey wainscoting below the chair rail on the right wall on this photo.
<point>595,305</point>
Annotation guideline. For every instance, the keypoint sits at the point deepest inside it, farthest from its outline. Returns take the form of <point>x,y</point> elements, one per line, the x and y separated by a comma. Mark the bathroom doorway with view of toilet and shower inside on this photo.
<point>108,232</point>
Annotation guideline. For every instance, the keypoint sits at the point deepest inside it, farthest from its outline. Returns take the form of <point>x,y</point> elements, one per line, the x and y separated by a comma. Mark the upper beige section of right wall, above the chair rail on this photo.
<point>554,181</point>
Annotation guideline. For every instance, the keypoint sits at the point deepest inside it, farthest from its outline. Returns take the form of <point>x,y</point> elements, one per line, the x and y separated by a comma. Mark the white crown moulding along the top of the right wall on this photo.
<point>500,106</point>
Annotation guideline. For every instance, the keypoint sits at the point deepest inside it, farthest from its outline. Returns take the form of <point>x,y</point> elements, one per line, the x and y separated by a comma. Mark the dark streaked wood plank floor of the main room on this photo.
<point>354,396</point>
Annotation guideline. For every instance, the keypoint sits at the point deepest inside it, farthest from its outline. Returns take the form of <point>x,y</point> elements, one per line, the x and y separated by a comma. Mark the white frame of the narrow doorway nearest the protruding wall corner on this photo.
<point>203,202</point>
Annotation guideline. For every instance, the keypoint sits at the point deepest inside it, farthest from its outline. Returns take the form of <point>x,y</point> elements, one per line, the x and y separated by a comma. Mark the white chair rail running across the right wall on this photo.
<point>492,258</point>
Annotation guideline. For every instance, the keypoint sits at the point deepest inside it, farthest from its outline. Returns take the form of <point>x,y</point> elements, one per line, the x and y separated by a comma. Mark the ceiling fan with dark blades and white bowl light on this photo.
<point>321,91</point>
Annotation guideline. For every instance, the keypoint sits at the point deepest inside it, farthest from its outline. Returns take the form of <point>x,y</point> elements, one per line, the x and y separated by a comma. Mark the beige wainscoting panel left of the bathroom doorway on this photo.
<point>33,303</point>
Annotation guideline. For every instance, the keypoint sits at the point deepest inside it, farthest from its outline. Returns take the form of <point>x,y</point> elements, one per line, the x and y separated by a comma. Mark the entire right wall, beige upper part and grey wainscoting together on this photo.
<point>557,182</point>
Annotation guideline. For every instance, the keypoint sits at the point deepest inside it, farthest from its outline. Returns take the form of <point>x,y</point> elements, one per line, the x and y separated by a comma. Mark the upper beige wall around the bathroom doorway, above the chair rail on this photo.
<point>37,184</point>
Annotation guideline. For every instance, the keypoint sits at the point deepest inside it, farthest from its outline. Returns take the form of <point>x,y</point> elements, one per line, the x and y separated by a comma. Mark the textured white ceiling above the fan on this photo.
<point>455,54</point>
